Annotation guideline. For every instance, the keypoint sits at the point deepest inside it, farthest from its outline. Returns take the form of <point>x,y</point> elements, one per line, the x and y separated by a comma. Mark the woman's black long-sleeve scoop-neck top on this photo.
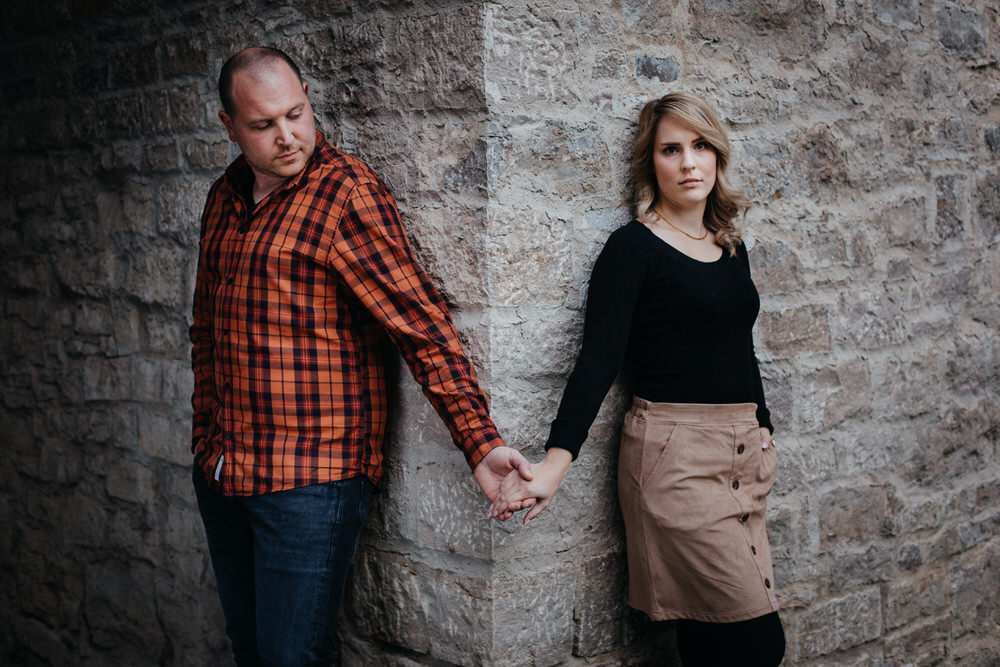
<point>684,326</point>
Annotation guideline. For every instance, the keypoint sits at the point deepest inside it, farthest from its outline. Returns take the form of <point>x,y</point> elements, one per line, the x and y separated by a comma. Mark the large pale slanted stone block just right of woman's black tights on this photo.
<point>839,624</point>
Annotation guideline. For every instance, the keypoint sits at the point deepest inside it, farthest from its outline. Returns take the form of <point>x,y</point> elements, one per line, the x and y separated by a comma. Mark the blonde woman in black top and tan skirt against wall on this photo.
<point>671,293</point>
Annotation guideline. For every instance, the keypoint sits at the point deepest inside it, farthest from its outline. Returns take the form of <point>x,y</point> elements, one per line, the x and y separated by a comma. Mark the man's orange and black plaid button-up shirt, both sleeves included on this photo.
<point>295,301</point>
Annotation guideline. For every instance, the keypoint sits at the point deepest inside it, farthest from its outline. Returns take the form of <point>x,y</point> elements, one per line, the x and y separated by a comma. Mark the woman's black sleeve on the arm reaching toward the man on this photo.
<point>615,284</point>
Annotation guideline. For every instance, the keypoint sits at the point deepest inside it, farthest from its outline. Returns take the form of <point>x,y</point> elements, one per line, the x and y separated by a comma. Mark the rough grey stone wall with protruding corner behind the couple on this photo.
<point>867,133</point>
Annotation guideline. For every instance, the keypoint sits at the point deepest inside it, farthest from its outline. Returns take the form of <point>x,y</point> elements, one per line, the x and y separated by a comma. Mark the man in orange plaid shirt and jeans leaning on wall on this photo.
<point>304,274</point>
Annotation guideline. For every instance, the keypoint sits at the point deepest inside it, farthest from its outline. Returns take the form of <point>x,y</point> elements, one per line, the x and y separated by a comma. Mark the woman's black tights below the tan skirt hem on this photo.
<point>759,642</point>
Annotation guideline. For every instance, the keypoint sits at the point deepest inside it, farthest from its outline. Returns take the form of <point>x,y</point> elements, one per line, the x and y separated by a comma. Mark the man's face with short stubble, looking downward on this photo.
<point>272,121</point>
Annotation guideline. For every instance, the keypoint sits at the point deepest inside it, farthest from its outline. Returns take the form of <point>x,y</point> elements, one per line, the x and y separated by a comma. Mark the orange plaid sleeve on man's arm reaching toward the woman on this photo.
<point>371,254</point>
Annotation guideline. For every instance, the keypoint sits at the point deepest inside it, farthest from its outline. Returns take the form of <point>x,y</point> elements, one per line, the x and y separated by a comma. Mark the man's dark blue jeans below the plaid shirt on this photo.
<point>280,562</point>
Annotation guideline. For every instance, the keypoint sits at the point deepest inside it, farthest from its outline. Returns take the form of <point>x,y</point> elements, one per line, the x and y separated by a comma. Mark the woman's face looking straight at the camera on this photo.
<point>685,167</point>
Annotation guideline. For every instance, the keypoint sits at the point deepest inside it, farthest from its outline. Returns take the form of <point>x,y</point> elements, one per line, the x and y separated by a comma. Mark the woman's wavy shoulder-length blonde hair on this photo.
<point>726,201</point>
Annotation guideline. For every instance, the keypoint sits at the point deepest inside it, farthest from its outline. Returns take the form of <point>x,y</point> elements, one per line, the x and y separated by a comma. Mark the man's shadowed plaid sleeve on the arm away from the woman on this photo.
<point>203,399</point>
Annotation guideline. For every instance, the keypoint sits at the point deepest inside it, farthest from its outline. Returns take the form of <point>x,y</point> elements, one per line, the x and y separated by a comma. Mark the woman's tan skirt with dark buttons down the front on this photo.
<point>693,482</point>
